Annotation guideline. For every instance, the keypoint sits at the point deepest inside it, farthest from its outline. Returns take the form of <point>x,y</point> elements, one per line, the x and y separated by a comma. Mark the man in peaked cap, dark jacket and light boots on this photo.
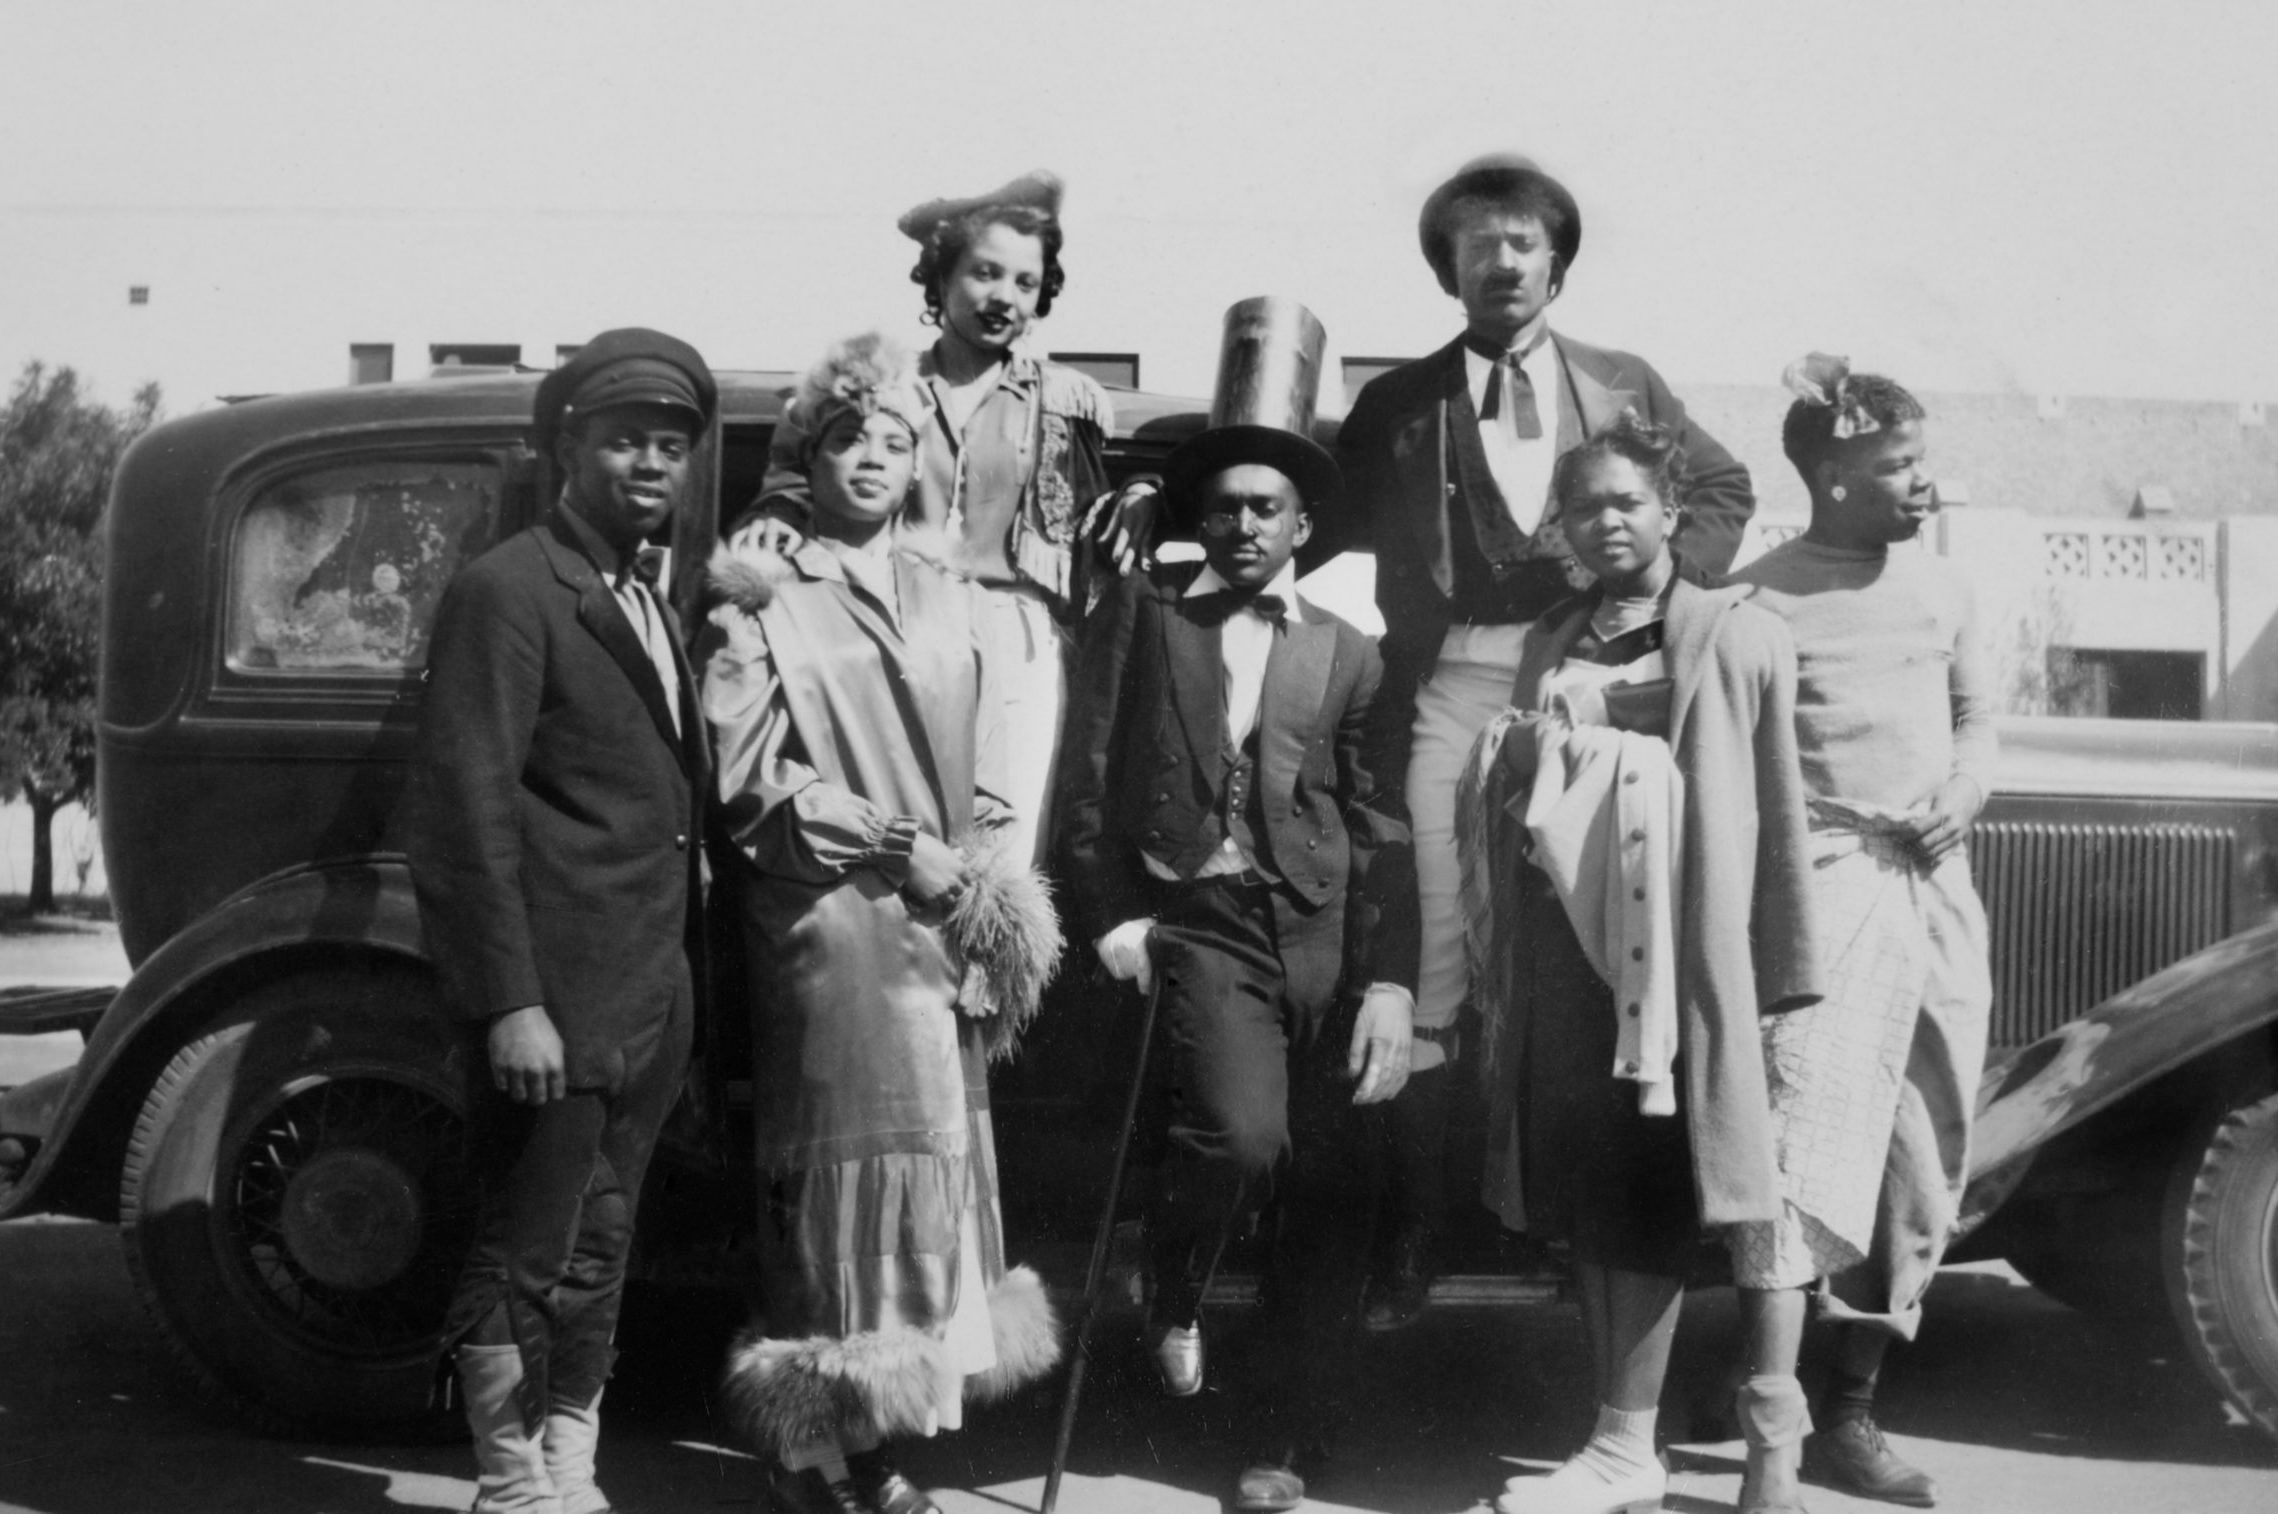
<point>552,844</point>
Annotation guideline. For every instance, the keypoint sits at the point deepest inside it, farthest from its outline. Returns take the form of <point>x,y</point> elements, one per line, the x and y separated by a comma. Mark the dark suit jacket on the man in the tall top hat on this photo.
<point>1142,762</point>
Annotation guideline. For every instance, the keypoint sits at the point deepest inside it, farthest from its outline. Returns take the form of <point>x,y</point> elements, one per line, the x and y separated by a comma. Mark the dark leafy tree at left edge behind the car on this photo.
<point>58,452</point>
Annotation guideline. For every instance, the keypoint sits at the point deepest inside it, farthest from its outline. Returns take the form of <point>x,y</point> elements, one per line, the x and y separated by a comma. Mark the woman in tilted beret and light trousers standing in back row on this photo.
<point>1013,468</point>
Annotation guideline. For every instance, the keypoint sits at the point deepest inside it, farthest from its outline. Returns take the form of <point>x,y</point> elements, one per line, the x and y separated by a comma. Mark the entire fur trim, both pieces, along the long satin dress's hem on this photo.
<point>789,1394</point>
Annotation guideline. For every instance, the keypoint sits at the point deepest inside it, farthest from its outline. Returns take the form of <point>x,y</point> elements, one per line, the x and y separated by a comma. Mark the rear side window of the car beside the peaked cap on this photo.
<point>338,570</point>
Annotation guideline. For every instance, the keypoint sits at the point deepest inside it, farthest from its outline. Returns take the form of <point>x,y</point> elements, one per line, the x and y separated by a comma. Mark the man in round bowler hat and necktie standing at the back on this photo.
<point>1448,463</point>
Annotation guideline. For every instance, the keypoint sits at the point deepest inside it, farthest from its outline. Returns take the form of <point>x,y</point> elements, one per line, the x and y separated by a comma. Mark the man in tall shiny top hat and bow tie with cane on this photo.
<point>1227,841</point>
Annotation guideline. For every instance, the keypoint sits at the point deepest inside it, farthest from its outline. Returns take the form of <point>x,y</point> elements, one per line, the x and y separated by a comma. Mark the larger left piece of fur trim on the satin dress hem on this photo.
<point>789,1394</point>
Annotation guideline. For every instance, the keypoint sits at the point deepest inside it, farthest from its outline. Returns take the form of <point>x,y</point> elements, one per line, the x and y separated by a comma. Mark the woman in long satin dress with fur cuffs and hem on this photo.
<point>896,948</point>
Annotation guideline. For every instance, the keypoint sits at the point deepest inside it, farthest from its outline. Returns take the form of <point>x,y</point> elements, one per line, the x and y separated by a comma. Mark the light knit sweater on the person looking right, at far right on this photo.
<point>1894,686</point>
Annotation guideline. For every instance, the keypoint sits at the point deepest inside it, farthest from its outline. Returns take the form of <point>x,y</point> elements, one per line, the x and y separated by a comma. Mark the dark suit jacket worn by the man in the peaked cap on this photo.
<point>552,807</point>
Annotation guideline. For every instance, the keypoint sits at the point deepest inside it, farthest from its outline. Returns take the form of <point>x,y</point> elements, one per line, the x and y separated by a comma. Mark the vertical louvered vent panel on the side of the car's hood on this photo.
<point>2081,912</point>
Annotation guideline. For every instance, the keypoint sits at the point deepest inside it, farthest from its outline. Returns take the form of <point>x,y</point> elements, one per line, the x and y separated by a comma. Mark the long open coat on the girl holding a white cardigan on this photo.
<point>1746,928</point>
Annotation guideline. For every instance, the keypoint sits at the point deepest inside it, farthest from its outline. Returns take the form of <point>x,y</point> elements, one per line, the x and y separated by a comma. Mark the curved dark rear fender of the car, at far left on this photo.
<point>302,914</point>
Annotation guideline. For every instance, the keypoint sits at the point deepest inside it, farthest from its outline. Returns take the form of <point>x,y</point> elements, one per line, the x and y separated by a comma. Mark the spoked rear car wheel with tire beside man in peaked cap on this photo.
<point>295,1203</point>
